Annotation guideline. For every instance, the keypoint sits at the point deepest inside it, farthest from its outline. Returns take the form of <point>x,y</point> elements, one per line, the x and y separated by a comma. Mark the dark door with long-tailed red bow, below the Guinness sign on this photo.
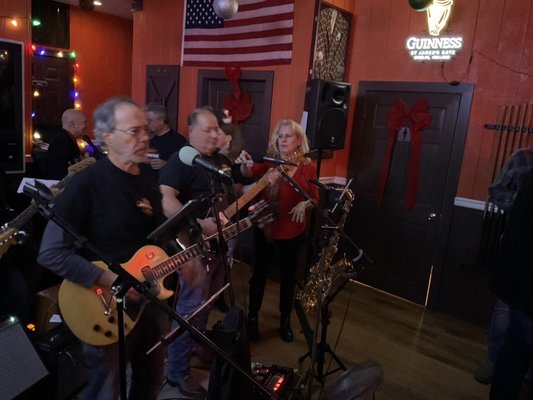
<point>406,245</point>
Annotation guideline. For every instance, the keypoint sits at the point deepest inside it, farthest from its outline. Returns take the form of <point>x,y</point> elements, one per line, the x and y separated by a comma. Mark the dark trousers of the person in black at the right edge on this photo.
<point>514,357</point>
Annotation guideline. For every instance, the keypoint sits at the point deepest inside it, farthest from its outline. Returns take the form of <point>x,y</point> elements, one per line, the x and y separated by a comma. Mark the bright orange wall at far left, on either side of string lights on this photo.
<point>103,44</point>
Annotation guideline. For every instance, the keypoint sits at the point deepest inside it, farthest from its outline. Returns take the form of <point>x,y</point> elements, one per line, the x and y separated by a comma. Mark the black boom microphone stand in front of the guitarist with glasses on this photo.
<point>123,283</point>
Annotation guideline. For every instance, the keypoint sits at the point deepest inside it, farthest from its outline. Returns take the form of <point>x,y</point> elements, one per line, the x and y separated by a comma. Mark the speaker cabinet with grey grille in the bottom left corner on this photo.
<point>20,365</point>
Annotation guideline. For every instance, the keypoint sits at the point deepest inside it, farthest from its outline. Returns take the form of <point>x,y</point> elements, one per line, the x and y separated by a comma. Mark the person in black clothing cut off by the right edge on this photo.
<point>513,283</point>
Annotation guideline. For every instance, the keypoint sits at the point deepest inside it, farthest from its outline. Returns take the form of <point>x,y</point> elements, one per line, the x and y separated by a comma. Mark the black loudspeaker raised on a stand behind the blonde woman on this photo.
<point>326,104</point>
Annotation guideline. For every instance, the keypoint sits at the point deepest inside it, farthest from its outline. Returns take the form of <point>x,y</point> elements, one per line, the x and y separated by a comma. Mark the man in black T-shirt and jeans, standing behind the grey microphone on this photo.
<point>181,180</point>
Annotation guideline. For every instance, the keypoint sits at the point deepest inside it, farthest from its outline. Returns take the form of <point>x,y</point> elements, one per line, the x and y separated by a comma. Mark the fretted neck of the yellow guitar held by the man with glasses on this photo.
<point>178,260</point>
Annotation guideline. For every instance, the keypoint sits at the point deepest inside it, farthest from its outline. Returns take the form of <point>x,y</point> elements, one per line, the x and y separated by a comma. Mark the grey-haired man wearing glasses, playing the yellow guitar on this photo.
<point>115,204</point>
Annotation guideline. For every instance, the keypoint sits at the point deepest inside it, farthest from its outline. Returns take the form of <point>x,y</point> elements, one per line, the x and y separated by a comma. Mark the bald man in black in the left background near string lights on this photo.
<point>63,149</point>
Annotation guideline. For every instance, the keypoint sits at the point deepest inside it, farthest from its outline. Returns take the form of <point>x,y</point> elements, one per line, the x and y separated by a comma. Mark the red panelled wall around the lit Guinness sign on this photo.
<point>496,57</point>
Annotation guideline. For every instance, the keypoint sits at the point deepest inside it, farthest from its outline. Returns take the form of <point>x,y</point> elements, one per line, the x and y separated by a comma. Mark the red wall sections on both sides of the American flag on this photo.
<point>157,40</point>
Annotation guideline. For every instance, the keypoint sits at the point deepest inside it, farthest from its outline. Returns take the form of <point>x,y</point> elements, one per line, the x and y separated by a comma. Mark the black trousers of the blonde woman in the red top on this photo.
<point>288,252</point>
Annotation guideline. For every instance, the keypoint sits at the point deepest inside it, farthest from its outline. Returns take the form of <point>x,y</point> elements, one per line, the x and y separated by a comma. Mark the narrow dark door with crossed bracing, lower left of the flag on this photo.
<point>162,87</point>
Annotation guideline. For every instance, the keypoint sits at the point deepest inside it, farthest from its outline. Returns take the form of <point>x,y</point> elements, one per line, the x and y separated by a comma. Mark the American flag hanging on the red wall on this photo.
<point>259,34</point>
